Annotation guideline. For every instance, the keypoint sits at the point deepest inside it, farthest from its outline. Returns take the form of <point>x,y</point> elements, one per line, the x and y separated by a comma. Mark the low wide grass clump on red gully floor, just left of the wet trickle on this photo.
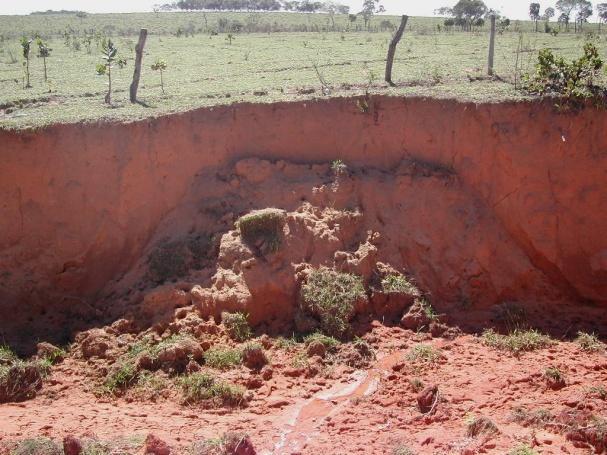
<point>199,387</point>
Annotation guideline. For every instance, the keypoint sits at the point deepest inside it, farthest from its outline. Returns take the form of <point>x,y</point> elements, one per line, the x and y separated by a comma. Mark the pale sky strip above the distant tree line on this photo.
<point>514,9</point>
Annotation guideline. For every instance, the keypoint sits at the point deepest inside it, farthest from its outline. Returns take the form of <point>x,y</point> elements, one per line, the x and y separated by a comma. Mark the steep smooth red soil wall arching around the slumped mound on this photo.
<point>79,203</point>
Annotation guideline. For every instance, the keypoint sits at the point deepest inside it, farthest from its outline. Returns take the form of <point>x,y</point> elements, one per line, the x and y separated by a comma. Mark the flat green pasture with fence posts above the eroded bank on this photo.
<point>206,69</point>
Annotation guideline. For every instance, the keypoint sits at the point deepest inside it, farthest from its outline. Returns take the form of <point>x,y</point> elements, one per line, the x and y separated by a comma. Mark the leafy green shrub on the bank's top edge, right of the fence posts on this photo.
<point>575,80</point>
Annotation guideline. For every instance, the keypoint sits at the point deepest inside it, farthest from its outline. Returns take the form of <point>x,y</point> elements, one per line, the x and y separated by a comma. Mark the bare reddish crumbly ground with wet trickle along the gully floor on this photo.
<point>344,410</point>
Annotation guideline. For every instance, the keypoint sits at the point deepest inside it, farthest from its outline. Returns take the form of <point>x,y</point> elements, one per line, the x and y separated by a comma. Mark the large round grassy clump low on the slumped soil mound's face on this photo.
<point>332,296</point>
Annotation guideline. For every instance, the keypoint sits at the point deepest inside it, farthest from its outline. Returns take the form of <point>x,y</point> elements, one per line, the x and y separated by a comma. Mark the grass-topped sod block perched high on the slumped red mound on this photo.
<point>262,229</point>
